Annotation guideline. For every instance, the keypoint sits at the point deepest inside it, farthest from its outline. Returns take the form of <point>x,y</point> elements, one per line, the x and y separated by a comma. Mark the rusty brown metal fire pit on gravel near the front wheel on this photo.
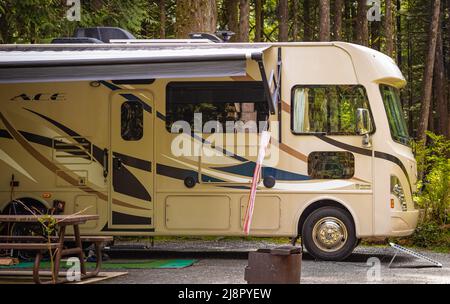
<point>280,265</point>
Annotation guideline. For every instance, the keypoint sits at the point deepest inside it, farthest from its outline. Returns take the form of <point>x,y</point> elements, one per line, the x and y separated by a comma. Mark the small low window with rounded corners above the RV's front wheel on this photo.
<point>331,165</point>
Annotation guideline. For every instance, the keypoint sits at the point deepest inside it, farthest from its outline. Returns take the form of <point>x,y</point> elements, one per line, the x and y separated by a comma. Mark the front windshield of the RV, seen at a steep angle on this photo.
<point>394,112</point>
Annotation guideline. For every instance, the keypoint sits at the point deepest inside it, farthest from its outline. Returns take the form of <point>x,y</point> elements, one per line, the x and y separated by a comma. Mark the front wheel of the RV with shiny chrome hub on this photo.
<point>336,227</point>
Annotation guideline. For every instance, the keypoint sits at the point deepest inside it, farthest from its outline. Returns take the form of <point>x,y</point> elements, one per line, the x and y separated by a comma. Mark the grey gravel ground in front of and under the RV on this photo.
<point>224,261</point>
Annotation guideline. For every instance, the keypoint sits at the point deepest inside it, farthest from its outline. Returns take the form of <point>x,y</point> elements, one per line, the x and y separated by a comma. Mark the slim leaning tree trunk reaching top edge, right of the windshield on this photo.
<point>428,73</point>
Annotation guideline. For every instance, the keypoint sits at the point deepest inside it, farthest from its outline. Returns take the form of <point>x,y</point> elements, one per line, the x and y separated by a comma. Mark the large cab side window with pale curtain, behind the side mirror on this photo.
<point>327,109</point>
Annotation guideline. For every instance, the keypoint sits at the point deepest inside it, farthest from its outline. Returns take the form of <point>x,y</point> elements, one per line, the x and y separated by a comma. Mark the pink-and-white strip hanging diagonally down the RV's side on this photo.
<point>263,143</point>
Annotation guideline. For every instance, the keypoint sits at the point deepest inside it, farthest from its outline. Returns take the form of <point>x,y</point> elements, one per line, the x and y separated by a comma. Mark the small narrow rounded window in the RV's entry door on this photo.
<point>132,120</point>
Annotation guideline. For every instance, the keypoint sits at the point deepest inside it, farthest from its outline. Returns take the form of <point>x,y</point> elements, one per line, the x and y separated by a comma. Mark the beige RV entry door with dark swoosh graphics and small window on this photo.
<point>131,199</point>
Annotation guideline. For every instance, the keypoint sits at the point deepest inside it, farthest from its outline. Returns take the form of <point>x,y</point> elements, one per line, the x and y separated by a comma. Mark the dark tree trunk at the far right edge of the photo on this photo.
<point>440,81</point>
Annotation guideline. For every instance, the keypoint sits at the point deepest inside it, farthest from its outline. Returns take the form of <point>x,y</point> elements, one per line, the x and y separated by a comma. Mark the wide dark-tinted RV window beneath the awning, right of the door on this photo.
<point>217,106</point>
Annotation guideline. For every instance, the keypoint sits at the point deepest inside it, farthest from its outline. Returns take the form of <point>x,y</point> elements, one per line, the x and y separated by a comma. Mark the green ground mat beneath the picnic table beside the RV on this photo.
<point>141,264</point>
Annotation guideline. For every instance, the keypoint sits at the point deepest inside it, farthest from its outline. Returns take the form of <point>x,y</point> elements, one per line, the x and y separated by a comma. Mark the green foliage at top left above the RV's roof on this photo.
<point>38,21</point>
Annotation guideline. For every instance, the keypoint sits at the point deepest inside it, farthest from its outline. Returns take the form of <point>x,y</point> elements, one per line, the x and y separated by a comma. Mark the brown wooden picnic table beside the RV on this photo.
<point>57,242</point>
